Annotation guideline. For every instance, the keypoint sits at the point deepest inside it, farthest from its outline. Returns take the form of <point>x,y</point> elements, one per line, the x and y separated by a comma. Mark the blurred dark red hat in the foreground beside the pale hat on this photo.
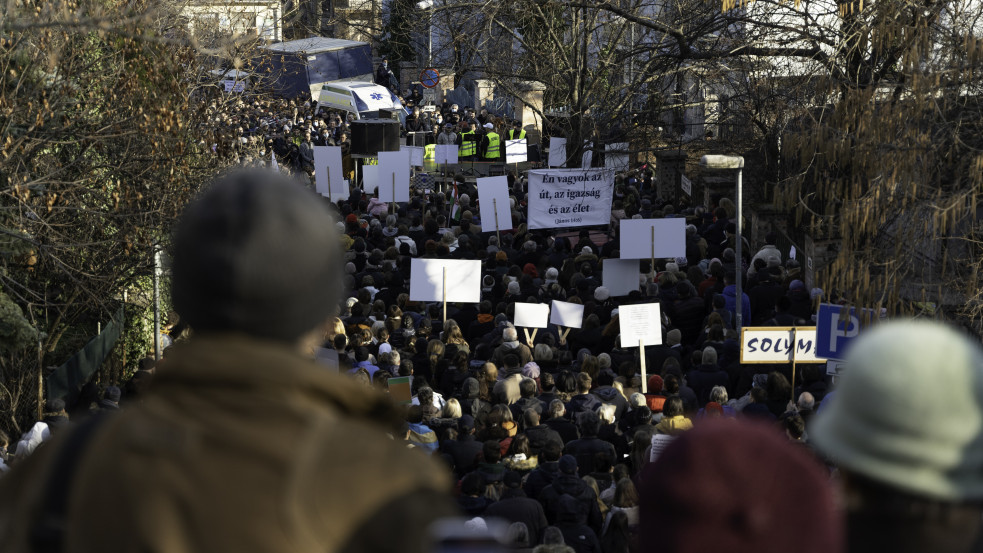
<point>737,487</point>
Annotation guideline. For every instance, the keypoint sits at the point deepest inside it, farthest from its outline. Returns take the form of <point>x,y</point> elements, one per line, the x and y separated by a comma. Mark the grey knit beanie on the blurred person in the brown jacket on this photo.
<point>258,254</point>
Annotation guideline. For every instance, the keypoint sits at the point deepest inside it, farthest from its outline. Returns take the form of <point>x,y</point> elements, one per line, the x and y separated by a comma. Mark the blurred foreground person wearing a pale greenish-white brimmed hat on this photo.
<point>906,430</point>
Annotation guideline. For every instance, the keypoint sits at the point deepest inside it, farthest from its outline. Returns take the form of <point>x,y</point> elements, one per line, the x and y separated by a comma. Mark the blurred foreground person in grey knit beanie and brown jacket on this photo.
<point>243,444</point>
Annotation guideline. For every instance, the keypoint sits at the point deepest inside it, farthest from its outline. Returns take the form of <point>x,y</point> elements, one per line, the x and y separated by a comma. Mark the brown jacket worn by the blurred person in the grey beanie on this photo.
<point>241,446</point>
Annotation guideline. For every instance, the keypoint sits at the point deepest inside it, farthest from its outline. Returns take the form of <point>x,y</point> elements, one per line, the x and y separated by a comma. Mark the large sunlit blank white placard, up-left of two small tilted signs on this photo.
<point>463,283</point>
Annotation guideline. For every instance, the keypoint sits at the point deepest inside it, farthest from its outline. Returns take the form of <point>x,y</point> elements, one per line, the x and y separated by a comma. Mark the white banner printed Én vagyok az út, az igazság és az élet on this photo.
<point>570,197</point>
